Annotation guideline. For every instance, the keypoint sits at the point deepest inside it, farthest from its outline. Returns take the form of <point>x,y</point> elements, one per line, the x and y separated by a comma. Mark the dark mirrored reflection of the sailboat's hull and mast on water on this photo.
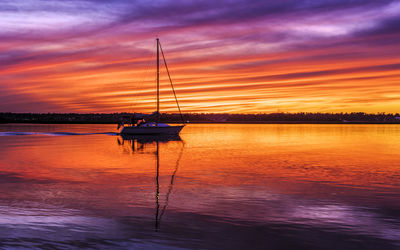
<point>137,143</point>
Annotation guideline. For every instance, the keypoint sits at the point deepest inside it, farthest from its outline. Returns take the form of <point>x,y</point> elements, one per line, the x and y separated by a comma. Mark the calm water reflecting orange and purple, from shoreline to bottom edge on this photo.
<point>219,187</point>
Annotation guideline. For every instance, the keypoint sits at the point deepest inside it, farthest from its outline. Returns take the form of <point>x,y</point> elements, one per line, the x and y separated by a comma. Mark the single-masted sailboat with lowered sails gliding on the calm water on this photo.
<point>139,126</point>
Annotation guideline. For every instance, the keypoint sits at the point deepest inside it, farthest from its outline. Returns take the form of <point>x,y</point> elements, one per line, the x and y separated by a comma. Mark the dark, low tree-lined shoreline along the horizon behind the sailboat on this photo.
<point>205,118</point>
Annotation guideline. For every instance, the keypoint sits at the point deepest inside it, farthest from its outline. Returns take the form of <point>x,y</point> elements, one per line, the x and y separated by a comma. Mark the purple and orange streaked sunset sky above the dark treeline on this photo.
<point>233,56</point>
